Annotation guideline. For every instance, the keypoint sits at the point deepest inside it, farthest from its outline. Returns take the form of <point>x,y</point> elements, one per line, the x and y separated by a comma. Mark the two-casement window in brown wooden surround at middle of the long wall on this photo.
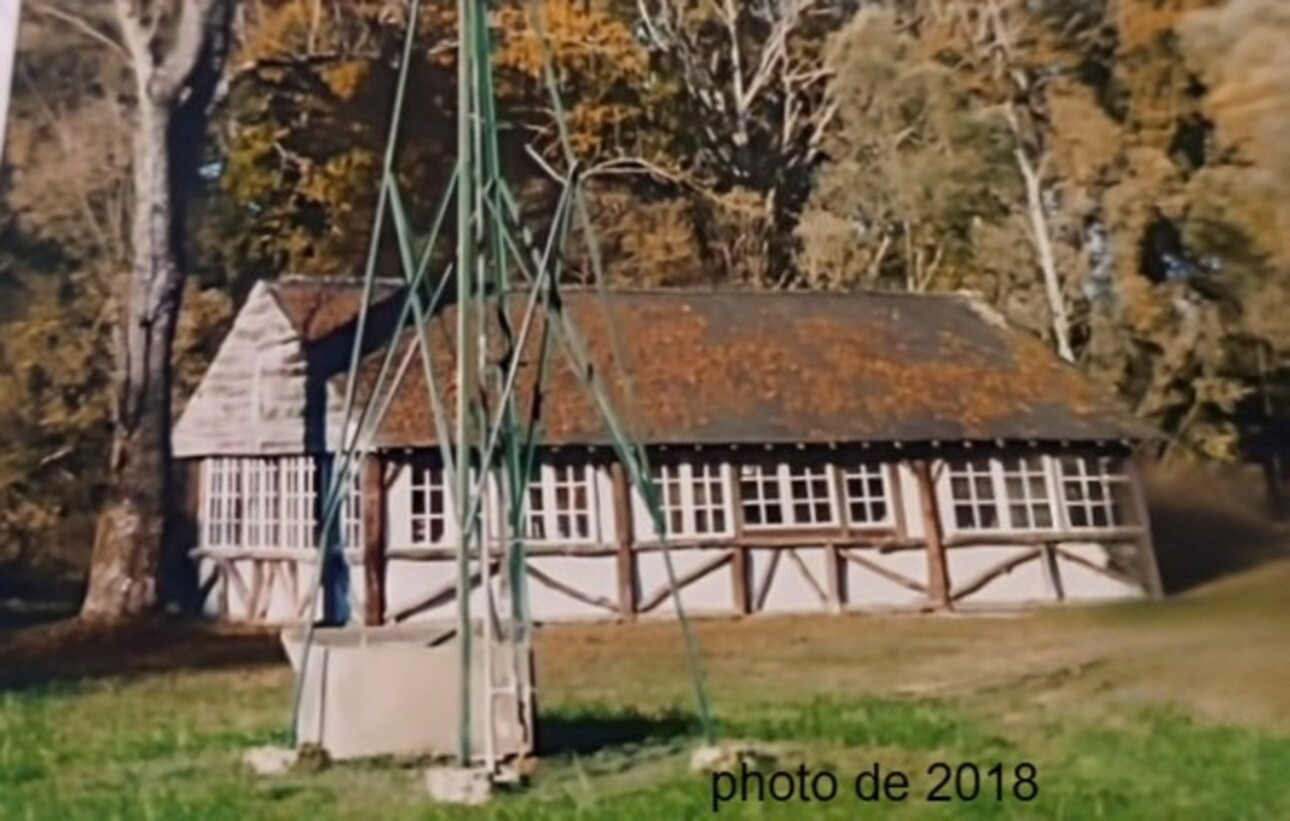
<point>786,496</point>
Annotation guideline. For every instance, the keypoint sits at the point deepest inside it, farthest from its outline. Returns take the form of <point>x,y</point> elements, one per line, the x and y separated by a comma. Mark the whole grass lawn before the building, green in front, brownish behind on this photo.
<point>1168,711</point>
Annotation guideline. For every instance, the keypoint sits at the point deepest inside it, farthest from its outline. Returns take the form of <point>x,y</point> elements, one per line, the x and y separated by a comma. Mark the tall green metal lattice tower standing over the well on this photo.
<point>499,265</point>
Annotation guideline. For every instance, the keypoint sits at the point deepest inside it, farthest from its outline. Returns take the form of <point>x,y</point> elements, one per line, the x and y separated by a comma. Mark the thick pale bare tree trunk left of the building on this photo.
<point>131,535</point>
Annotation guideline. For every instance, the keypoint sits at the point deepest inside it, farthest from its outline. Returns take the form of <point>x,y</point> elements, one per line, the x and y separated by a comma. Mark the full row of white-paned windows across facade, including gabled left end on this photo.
<point>273,503</point>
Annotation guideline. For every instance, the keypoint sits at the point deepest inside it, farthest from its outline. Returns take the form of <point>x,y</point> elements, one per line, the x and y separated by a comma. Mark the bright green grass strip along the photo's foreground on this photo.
<point>149,751</point>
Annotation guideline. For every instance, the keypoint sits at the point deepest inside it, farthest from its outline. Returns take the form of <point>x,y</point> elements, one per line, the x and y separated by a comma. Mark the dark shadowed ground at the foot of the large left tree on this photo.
<point>74,650</point>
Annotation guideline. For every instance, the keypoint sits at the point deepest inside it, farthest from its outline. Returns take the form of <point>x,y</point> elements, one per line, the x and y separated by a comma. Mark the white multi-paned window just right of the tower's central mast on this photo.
<point>544,521</point>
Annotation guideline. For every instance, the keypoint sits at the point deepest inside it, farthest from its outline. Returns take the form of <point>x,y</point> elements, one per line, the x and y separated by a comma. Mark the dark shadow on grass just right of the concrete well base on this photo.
<point>589,730</point>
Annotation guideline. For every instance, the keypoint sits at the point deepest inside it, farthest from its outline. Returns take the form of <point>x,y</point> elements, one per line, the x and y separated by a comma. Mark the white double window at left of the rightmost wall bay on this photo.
<point>998,471</point>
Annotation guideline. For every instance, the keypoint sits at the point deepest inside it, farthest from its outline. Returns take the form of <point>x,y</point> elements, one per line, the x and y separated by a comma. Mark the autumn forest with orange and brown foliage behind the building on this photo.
<point>1114,176</point>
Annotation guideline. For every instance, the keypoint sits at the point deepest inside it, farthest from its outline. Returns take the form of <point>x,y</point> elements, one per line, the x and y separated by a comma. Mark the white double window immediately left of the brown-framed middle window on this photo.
<point>686,476</point>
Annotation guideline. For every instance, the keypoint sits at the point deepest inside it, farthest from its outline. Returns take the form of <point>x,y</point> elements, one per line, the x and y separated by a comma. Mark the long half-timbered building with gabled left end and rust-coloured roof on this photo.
<point>816,454</point>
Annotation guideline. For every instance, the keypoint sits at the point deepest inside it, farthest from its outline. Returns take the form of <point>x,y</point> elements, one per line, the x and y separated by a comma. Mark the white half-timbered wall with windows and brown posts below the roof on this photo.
<point>746,532</point>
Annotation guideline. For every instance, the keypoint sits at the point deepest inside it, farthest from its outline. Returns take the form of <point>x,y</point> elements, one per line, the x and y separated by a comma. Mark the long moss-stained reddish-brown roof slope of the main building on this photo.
<point>758,367</point>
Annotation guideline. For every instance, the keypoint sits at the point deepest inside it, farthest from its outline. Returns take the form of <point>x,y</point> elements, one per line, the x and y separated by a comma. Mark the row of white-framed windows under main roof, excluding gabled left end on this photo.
<point>1029,494</point>
